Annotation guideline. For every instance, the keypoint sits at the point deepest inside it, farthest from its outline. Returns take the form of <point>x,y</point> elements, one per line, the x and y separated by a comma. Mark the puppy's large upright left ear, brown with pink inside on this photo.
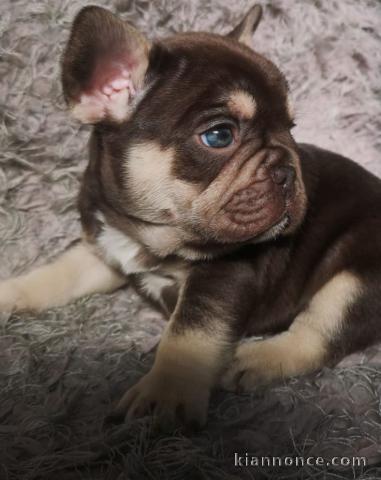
<point>103,66</point>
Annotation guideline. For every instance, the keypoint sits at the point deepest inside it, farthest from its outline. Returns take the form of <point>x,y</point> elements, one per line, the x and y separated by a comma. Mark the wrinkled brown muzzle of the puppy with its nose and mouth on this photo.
<point>251,195</point>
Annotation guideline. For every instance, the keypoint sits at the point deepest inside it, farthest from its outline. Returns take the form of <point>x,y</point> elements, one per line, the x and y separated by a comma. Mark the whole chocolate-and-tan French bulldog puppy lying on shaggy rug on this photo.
<point>197,192</point>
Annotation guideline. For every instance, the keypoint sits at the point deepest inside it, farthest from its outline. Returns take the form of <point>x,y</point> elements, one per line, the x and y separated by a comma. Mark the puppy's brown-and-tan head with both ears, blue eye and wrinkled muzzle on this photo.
<point>193,130</point>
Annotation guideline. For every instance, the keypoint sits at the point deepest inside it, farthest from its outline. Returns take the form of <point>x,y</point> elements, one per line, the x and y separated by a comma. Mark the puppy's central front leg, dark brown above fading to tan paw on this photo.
<point>194,349</point>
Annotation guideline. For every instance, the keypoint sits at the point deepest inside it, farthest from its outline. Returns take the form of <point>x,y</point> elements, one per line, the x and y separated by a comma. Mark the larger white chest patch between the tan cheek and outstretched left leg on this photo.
<point>120,250</point>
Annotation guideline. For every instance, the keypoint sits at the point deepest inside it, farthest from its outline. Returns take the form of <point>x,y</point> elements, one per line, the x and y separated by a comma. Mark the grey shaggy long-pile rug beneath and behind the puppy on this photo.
<point>61,370</point>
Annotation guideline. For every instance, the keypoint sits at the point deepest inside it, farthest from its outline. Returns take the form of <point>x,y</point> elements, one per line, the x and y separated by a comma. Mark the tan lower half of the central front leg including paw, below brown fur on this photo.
<point>185,370</point>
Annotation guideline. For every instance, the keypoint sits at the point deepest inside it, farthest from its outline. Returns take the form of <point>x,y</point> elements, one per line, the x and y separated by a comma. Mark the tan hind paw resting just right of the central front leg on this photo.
<point>254,364</point>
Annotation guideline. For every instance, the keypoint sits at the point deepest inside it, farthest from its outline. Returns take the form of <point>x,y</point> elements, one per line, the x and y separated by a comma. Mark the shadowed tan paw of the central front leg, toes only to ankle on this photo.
<point>170,399</point>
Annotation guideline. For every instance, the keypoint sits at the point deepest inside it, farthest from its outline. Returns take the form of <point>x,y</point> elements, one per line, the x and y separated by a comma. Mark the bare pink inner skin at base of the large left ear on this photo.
<point>108,95</point>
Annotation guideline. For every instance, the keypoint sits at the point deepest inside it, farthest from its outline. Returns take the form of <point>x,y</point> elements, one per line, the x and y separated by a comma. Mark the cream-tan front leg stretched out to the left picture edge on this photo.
<point>75,273</point>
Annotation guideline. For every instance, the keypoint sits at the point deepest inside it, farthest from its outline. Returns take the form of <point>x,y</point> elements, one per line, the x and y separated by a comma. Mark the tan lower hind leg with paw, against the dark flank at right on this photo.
<point>301,349</point>
